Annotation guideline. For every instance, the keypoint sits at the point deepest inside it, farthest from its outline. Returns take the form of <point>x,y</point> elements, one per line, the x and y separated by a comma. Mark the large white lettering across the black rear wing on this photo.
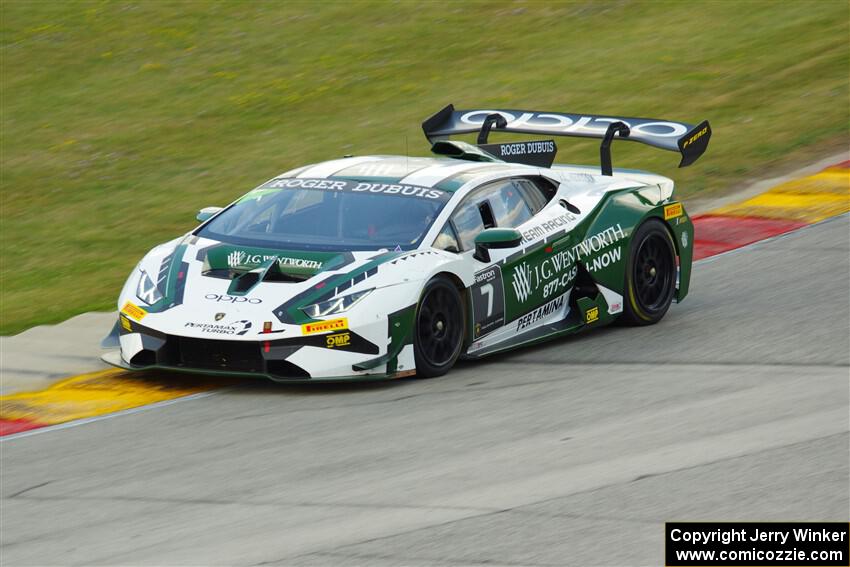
<point>578,124</point>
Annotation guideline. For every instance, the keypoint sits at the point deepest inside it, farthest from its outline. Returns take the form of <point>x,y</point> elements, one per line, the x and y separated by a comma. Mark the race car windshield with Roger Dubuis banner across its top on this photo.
<point>328,214</point>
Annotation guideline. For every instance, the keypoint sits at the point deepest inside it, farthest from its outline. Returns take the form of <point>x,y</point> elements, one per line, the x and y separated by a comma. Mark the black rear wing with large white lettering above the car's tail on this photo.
<point>689,140</point>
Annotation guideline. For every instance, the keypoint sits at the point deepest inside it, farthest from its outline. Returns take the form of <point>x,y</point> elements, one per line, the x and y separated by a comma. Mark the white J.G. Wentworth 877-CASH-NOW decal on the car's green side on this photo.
<point>555,273</point>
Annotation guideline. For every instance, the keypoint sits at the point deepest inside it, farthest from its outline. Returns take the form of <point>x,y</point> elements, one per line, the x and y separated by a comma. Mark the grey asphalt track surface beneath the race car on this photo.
<point>734,407</point>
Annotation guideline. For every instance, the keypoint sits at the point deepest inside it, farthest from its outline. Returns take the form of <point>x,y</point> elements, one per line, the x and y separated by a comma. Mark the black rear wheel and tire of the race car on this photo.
<point>650,275</point>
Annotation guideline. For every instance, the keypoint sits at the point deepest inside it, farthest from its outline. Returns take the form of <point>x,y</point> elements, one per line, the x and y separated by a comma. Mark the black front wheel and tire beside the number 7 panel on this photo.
<point>438,331</point>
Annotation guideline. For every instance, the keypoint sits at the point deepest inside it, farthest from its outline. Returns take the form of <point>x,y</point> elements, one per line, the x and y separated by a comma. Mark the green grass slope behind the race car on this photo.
<point>121,119</point>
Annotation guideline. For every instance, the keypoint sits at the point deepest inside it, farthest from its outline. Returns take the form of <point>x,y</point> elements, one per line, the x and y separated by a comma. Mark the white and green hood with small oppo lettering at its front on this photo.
<point>198,281</point>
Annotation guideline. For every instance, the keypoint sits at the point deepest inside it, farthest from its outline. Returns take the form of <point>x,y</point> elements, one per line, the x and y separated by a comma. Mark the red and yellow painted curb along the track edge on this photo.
<point>785,208</point>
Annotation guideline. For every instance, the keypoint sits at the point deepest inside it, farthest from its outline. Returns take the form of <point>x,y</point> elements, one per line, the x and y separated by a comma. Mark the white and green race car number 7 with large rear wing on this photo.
<point>390,266</point>
